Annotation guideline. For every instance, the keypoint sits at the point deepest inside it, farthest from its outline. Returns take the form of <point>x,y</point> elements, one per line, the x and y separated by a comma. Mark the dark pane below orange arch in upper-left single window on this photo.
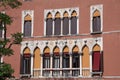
<point>27,28</point>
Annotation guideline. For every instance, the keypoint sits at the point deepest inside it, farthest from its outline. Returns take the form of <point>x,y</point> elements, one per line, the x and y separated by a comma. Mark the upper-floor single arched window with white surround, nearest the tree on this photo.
<point>27,23</point>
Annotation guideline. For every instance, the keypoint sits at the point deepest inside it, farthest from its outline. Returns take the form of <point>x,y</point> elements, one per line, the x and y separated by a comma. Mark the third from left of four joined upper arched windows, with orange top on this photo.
<point>65,23</point>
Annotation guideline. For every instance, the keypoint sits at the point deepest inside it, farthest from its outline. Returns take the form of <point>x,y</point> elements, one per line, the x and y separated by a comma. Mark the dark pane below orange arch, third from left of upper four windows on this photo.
<point>65,26</point>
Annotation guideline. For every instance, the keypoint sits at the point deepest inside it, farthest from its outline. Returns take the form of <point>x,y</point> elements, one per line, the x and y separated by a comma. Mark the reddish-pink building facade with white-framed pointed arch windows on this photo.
<point>72,39</point>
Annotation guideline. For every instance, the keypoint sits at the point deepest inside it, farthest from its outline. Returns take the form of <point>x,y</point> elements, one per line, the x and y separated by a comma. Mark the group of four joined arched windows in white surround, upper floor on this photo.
<point>61,22</point>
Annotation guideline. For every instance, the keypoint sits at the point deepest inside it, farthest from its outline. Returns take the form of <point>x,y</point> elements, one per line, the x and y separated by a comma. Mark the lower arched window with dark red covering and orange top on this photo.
<point>97,60</point>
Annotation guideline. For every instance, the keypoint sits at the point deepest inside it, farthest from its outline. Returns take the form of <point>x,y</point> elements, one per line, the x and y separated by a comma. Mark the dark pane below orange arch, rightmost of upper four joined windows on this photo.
<point>74,25</point>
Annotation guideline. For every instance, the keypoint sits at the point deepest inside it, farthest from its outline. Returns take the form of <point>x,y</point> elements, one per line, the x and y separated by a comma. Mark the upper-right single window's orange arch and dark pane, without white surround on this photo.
<point>96,22</point>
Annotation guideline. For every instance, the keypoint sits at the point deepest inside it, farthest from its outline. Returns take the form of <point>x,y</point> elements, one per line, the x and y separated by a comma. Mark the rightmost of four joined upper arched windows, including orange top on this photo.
<point>74,22</point>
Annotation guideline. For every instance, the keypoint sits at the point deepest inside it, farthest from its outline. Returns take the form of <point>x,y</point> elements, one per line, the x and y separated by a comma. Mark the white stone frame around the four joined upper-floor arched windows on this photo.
<point>61,11</point>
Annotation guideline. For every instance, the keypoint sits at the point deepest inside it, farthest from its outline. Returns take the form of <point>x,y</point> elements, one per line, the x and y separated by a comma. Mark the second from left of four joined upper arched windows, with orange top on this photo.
<point>57,25</point>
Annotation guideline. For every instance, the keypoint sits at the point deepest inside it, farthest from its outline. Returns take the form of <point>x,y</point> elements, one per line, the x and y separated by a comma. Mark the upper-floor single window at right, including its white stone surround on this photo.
<point>96,19</point>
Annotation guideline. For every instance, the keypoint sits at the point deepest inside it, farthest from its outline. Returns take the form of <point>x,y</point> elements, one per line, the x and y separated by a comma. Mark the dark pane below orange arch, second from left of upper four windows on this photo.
<point>57,26</point>
